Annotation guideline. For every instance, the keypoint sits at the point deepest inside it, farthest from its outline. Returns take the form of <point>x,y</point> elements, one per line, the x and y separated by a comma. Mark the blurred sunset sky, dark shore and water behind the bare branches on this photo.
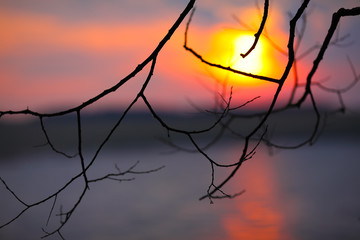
<point>56,55</point>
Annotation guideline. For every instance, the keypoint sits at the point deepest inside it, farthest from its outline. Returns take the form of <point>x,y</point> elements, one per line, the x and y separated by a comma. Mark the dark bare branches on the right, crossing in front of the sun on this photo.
<point>294,33</point>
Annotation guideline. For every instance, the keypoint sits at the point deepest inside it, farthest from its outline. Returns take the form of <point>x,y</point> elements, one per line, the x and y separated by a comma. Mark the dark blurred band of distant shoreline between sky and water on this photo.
<point>140,127</point>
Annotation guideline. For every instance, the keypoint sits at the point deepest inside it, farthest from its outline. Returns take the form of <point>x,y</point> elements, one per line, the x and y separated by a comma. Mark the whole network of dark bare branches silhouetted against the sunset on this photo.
<point>225,115</point>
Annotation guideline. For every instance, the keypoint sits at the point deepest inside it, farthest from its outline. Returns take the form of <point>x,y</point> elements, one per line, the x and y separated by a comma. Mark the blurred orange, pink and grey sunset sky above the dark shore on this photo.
<point>58,54</point>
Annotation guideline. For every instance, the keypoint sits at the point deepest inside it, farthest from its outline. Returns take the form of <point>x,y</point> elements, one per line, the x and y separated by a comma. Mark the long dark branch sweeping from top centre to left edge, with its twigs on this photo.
<point>150,59</point>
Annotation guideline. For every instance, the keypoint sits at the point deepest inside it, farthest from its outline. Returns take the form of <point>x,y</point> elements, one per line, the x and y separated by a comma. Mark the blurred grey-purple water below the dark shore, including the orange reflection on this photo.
<point>308,193</point>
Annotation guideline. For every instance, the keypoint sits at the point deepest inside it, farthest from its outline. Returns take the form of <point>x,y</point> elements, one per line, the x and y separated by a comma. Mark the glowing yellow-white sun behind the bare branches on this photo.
<point>226,47</point>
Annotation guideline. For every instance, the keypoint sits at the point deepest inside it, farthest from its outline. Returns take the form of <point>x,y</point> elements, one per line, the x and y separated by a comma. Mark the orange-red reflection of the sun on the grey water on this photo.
<point>257,214</point>
